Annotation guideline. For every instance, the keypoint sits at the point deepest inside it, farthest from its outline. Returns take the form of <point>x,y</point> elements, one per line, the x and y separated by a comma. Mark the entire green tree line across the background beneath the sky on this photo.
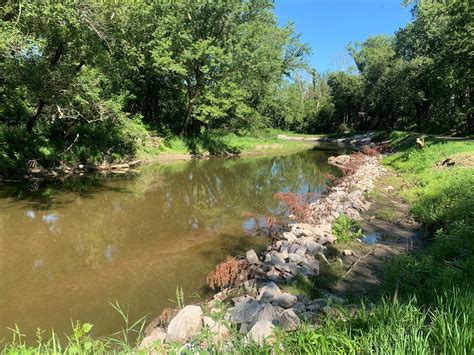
<point>89,80</point>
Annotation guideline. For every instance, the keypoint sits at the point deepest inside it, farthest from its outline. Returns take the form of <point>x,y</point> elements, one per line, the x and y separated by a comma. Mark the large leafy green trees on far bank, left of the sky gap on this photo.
<point>97,72</point>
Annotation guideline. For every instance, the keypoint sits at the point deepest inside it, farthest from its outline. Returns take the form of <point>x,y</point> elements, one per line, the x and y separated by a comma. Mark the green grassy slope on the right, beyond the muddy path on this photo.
<point>426,303</point>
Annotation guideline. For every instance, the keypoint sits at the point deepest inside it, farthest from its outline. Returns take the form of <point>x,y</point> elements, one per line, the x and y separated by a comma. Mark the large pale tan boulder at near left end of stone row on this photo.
<point>186,324</point>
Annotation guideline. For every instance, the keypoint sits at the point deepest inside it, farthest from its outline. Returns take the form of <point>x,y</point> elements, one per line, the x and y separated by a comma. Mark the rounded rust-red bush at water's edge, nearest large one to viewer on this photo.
<point>227,273</point>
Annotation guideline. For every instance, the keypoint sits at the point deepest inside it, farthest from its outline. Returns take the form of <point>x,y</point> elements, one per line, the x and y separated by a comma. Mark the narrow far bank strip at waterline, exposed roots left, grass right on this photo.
<point>154,150</point>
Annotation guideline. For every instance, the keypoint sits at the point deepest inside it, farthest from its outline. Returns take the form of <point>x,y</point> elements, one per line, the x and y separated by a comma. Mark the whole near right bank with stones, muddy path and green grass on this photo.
<point>437,182</point>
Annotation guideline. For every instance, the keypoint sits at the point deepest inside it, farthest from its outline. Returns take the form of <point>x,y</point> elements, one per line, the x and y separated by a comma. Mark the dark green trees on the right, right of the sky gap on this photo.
<point>419,79</point>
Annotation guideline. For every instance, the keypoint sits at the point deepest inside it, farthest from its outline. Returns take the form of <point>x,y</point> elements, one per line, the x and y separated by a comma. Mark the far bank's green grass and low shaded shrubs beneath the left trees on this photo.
<point>20,153</point>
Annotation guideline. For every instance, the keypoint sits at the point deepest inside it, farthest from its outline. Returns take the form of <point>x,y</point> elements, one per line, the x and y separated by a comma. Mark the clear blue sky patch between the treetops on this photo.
<point>329,25</point>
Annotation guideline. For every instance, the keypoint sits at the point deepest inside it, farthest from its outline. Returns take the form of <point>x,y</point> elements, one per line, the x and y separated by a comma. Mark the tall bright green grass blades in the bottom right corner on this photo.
<point>393,328</point>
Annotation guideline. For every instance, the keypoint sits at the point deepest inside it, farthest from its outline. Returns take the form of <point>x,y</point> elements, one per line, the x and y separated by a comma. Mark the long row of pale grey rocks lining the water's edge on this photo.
<point>258,303</point>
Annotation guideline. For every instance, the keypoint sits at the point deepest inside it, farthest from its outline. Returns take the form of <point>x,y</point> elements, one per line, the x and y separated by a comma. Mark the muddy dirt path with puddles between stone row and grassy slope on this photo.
<point>390,230</point>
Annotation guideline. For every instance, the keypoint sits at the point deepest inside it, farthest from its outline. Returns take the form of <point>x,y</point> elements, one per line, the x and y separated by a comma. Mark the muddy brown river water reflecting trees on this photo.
<point>68,248</point>
